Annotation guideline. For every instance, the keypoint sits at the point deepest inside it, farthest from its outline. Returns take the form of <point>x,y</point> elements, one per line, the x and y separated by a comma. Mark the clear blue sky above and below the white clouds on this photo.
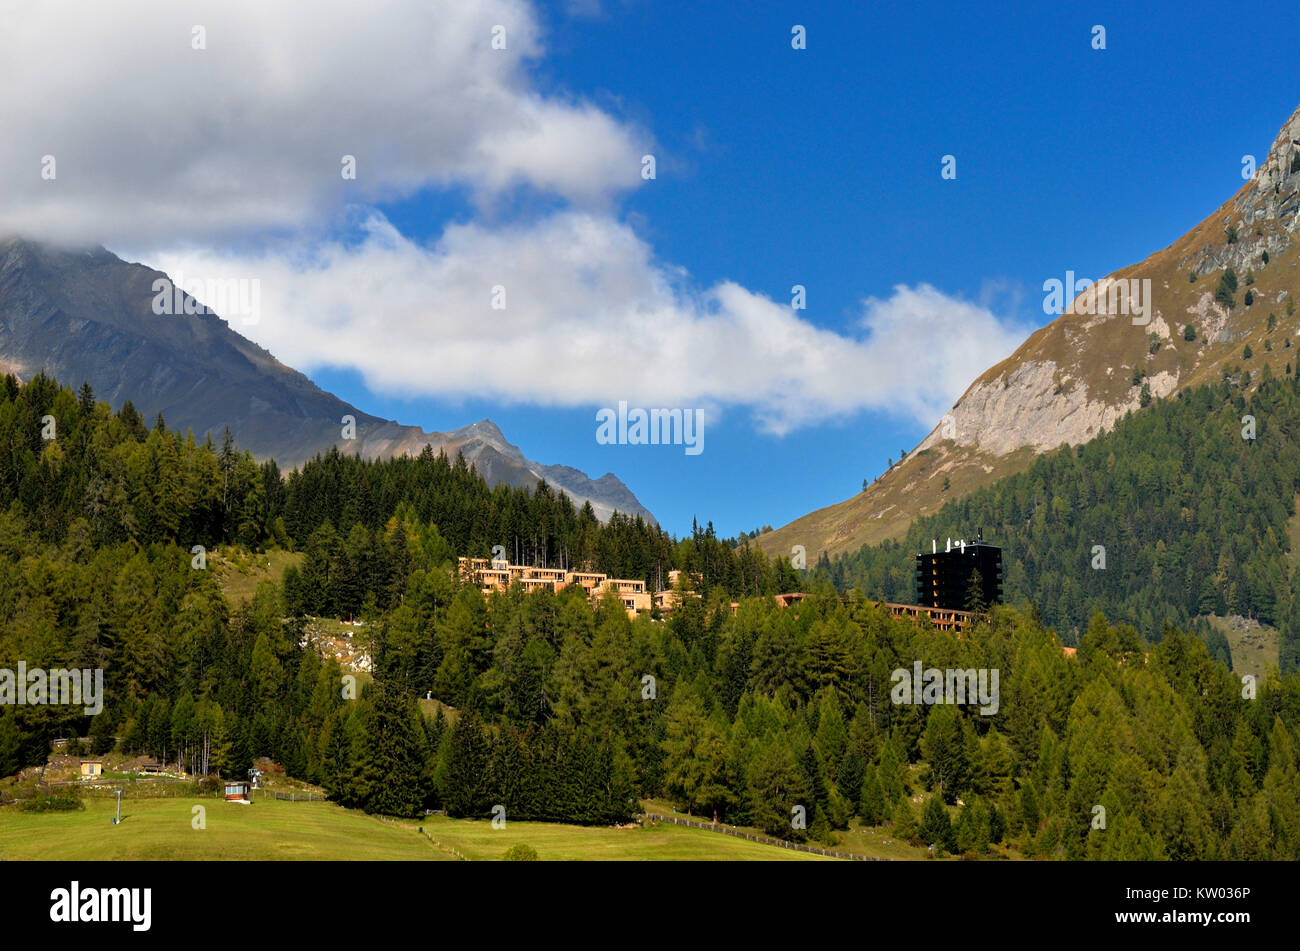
<point>822,168</point>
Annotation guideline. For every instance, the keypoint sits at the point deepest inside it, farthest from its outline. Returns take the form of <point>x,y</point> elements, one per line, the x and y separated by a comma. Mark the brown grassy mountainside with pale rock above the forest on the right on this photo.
<point>1102,361</point>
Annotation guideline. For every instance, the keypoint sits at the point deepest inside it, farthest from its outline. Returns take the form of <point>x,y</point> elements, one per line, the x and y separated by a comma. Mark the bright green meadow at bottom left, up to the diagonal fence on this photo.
<point>162,830</point>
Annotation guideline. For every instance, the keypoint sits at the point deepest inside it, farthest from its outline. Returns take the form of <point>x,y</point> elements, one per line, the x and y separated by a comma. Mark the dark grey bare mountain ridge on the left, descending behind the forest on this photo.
<point>86,315</point>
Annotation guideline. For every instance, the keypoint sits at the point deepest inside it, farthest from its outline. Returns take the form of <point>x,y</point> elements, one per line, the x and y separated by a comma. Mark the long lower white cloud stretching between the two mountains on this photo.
<point>591,319</point>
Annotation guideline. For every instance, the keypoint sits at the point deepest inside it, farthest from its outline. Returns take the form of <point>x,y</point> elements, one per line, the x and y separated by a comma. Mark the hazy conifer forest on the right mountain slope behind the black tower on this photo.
<point>1190,501</point>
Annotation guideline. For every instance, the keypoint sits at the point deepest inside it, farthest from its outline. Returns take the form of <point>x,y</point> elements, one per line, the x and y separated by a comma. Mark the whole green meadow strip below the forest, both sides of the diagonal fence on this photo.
<point>280,831</point>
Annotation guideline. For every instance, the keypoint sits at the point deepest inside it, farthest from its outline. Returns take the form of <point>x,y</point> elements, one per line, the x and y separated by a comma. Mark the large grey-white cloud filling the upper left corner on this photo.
<point>158,142</point>
